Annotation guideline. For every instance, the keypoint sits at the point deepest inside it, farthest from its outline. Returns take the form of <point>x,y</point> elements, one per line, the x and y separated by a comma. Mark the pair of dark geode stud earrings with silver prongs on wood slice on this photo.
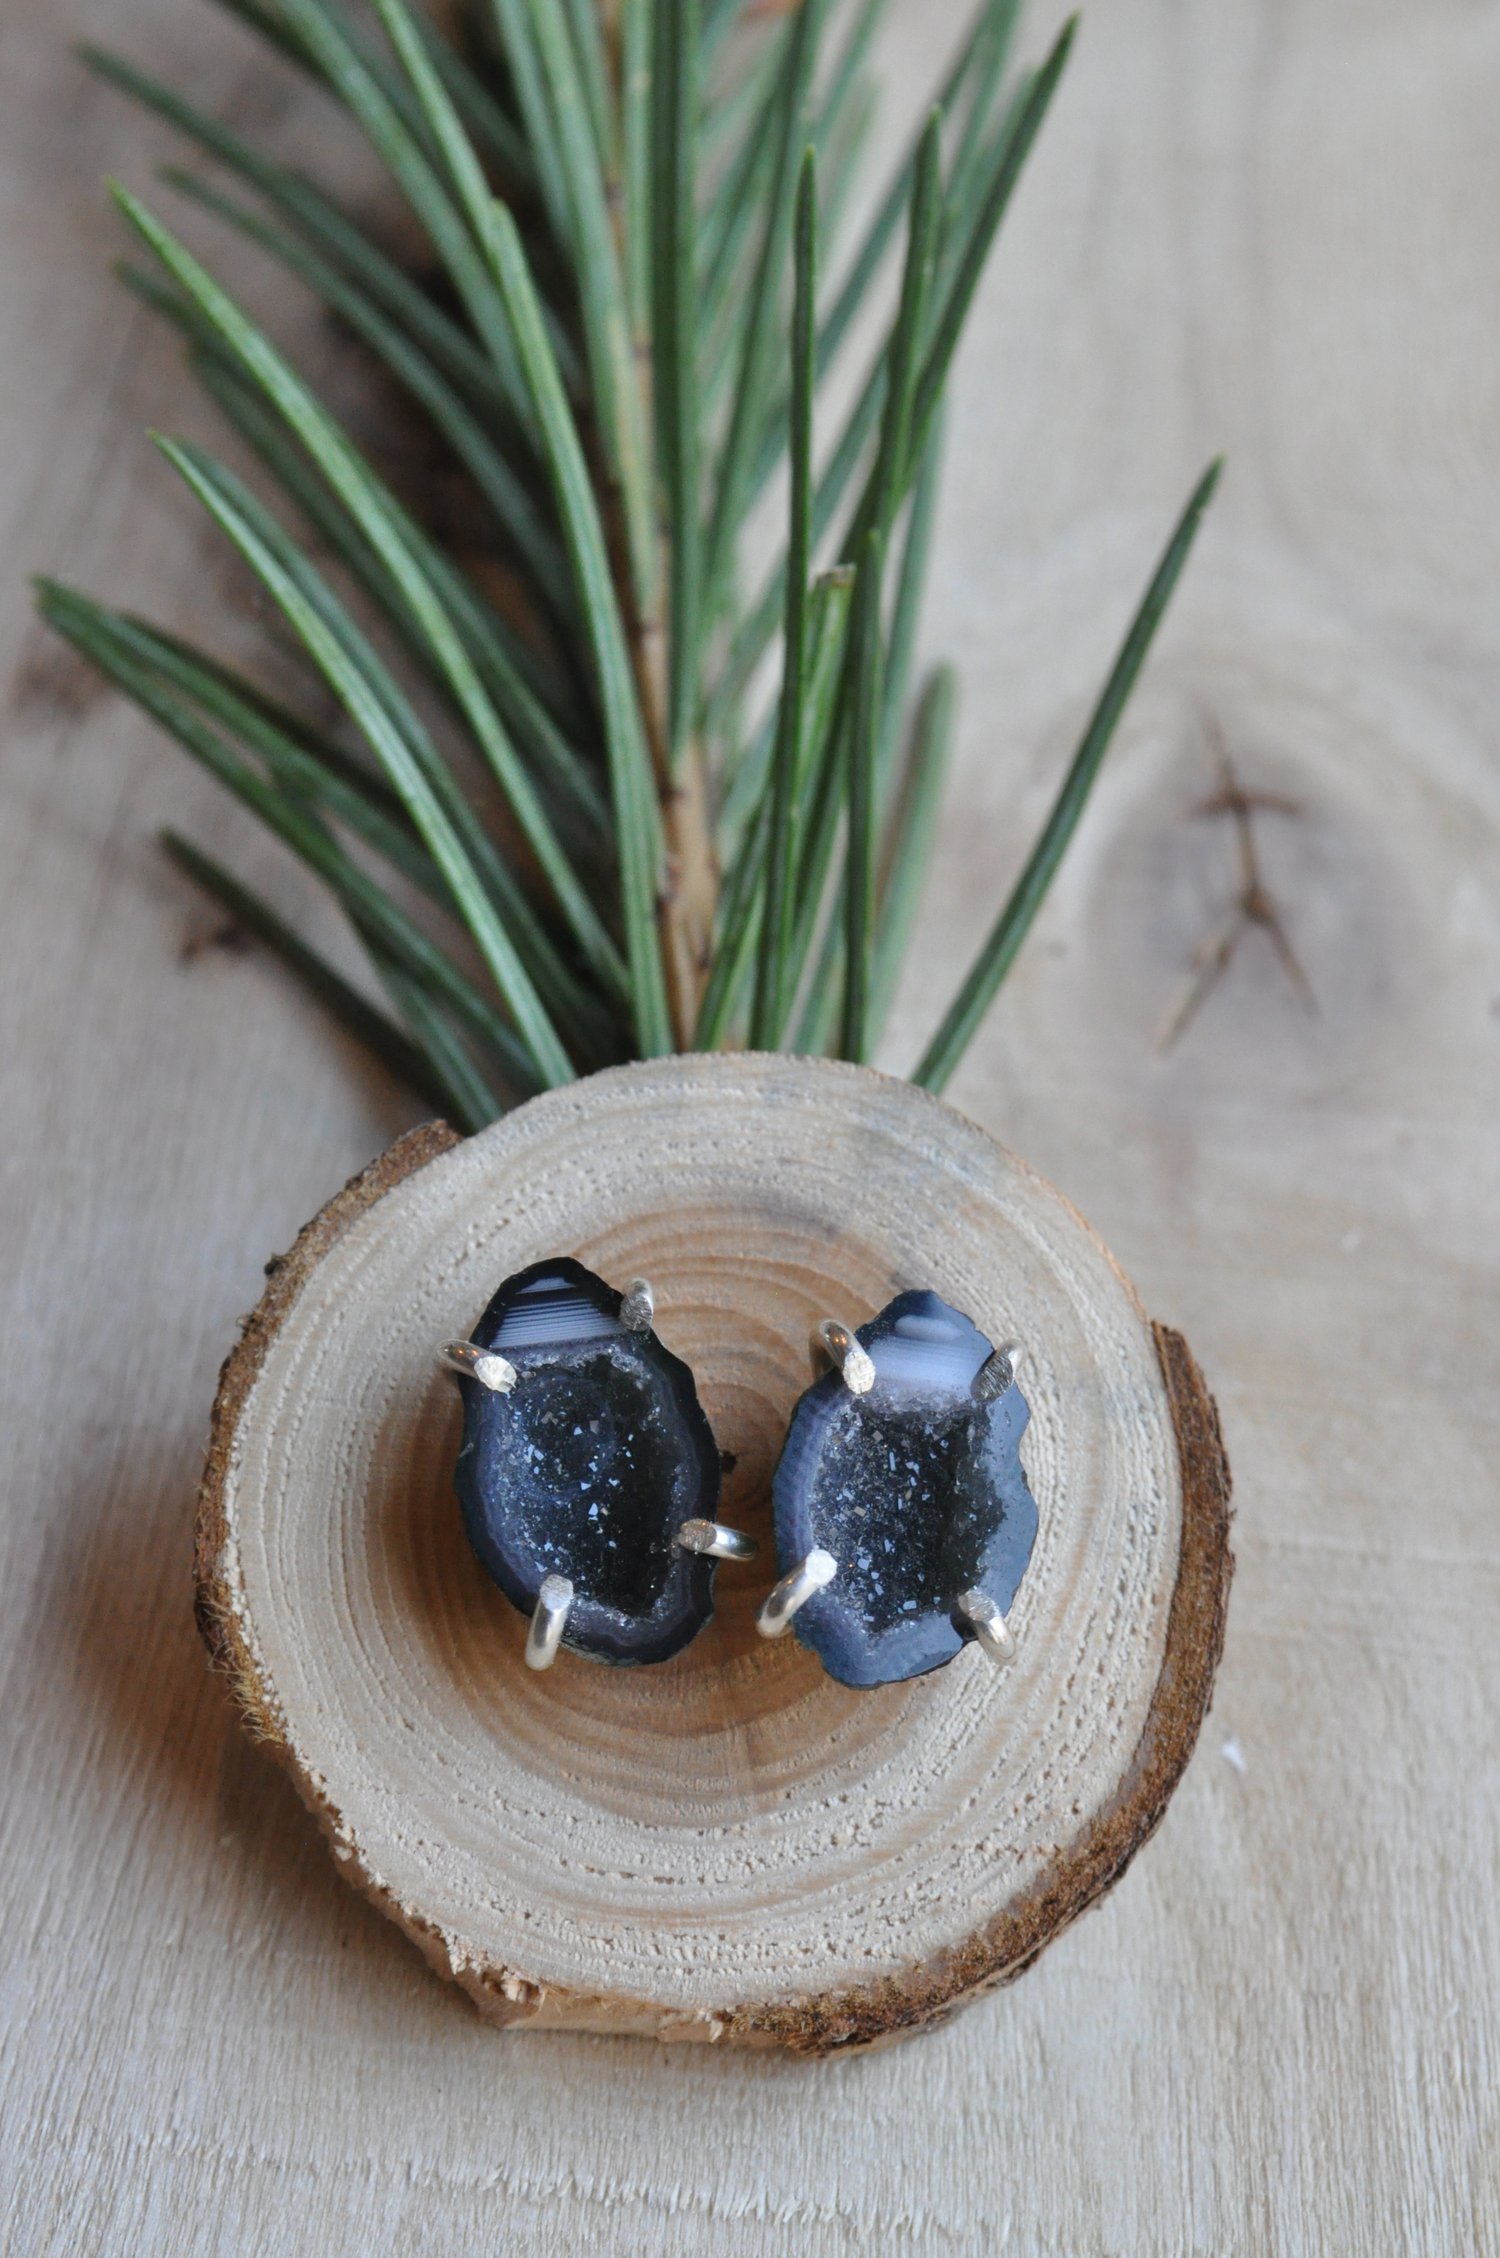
<point>588,1482</point>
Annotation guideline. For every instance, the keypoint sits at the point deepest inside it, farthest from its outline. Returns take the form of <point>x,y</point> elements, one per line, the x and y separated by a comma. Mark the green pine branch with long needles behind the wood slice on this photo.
<point>631,299</point>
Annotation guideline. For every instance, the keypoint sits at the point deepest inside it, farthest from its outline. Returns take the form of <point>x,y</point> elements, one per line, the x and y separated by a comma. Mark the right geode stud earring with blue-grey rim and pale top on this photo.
<point>902,1512</point>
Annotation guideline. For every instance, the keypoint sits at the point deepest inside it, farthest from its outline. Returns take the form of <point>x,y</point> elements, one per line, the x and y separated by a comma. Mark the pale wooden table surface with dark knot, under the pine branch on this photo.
<point>1266,229</point>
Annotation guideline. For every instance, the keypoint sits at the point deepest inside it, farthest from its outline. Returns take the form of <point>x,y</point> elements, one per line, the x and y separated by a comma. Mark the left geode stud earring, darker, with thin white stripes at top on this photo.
<point>588,1473</point>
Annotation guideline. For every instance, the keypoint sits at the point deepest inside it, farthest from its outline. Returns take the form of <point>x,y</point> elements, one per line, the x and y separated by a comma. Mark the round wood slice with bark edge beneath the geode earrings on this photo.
<point>729,1846</point>
